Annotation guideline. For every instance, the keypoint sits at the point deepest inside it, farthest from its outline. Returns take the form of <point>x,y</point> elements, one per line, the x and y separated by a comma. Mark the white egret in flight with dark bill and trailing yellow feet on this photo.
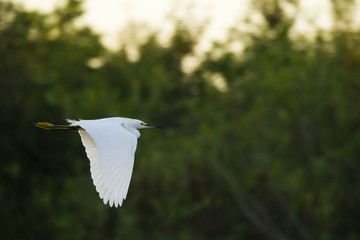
<point>110,145</point>
